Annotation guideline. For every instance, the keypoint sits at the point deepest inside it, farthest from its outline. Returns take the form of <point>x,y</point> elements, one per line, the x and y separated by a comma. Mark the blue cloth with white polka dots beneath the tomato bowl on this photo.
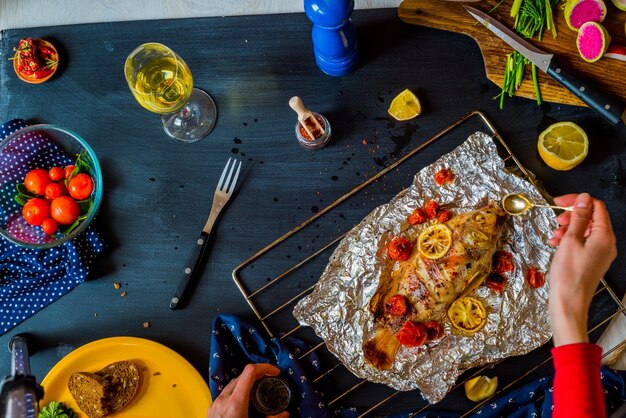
<point>32,279</point>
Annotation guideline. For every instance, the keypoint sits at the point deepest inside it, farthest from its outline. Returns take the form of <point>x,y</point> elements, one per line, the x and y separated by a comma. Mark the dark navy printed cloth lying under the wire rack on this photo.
<point>235,343</point>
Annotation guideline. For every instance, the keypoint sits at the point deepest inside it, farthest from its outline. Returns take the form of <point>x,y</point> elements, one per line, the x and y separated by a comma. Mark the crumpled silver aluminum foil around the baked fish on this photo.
<point>517,321</point>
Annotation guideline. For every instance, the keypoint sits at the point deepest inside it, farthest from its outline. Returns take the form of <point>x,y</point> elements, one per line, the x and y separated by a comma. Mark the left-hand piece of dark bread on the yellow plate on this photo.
<point>90,392</point>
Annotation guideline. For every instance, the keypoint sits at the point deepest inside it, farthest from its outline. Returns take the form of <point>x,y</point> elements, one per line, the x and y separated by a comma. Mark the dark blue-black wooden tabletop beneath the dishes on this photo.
<point>158,191</point>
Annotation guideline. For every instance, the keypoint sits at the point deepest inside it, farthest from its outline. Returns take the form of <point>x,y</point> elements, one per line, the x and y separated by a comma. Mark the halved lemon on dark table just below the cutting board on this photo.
<point>563,145</point>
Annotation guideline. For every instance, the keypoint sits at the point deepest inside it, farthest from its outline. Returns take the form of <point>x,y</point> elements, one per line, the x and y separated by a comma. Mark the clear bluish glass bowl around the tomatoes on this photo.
<point>40,146</point>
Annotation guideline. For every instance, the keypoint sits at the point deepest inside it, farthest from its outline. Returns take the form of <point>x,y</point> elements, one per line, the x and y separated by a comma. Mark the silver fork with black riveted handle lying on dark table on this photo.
<point>223,192</point>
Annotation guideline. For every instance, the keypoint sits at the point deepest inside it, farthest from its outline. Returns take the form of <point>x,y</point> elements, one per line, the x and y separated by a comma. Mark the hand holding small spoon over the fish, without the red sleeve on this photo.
<point>586,248</point>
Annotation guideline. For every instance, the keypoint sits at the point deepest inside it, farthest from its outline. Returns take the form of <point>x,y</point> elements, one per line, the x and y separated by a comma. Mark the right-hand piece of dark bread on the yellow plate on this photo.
<point>123,379</point>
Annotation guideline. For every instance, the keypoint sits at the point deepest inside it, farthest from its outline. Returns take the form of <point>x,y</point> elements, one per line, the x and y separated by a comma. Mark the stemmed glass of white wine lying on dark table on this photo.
<point>162,83</point>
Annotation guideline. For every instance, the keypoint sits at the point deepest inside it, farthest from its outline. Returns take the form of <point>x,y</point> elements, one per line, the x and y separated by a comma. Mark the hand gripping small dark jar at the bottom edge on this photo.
<point>234,400</point>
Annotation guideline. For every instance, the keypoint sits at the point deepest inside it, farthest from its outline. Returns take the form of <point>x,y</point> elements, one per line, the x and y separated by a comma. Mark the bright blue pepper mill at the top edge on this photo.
<point>334,36</point>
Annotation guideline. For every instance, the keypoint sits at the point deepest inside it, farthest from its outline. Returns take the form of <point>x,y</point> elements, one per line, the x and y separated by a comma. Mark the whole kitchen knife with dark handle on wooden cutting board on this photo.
<point>610,109</point>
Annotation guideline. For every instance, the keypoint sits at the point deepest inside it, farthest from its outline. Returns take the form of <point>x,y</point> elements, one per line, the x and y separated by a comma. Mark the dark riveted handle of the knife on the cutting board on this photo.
<point>610,109</point>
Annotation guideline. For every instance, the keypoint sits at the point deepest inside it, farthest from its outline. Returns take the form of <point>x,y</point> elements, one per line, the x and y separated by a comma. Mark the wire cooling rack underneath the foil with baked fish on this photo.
<point>374,398</point>
